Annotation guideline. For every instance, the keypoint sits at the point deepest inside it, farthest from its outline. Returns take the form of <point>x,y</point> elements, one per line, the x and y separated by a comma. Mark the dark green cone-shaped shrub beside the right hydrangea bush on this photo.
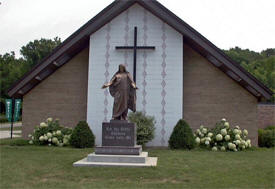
<point>182,136</point>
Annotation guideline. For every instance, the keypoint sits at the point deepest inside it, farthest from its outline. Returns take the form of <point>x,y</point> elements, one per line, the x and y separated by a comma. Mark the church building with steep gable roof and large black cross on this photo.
<point>178,72</point>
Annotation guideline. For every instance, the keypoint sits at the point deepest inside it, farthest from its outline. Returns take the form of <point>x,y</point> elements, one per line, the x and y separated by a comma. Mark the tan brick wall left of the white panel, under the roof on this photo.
<point>62,95</point>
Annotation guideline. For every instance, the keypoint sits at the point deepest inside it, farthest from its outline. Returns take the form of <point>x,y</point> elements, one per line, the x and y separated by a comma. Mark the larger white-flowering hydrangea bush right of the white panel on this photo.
<point>223,137</point>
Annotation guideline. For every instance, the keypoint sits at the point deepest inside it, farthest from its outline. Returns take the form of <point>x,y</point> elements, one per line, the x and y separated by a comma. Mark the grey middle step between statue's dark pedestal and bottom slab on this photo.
<point>118,158</point>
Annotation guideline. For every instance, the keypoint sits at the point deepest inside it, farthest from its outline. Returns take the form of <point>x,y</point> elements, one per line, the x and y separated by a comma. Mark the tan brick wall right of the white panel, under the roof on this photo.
<point>210,95</point>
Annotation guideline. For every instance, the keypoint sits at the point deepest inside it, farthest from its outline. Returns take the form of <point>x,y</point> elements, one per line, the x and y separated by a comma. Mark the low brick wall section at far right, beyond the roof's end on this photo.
<point>266,115</point>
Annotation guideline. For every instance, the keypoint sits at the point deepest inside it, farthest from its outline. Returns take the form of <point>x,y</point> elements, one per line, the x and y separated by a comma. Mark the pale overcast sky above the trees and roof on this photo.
<point>226,23</point>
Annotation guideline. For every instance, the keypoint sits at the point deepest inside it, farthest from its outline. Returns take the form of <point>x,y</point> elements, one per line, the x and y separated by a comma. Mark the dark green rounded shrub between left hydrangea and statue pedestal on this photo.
<point>82,136</point>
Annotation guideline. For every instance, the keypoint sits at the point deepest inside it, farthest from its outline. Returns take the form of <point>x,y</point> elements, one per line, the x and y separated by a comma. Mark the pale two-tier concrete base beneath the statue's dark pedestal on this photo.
<point>141,160</point>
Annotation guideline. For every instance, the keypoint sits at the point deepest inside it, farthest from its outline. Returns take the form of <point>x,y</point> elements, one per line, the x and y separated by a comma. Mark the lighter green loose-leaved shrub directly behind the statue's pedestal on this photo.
<point>145,127</point>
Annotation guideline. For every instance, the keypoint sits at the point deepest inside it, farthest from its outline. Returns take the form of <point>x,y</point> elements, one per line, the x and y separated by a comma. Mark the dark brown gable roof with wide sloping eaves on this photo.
<point>80,40</point>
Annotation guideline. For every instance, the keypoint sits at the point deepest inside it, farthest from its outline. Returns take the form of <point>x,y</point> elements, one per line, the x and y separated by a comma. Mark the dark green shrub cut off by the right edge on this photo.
<point>266,137</point>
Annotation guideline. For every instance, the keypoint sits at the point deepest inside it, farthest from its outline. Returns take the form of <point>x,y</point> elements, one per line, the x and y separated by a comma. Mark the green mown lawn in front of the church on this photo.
<point>51,167</point>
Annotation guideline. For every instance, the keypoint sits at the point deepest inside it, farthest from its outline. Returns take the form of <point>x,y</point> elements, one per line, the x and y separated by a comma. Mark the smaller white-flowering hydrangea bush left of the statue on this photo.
<point>50,133</point>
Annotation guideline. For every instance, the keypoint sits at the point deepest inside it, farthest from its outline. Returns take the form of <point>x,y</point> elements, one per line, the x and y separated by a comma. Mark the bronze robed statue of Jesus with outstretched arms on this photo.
<point>123,89</point>
